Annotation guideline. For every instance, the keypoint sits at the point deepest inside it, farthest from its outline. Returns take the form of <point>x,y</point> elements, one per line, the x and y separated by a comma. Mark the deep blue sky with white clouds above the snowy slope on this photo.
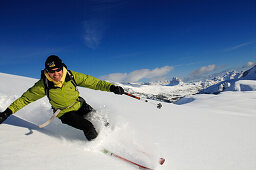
<point>128,40</point>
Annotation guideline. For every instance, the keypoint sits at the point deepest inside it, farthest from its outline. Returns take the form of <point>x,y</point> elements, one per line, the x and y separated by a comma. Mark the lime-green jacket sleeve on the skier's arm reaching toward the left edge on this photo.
<point>32,94</point>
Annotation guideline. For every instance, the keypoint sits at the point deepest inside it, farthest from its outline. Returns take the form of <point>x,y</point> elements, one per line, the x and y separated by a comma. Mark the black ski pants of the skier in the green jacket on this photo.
<point>77,119</point>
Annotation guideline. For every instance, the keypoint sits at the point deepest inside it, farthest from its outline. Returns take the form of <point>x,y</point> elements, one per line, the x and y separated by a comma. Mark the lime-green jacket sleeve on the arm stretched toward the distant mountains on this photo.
<point>91,82</point>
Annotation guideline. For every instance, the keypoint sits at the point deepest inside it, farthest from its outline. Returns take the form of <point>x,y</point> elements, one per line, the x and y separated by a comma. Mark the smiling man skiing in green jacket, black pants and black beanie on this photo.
<point>59,84</point>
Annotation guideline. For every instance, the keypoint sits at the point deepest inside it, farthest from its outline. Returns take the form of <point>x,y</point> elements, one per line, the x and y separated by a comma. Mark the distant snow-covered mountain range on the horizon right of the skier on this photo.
<point>173,90</point>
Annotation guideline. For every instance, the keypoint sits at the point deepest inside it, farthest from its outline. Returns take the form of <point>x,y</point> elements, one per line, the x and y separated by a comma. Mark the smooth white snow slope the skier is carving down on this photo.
<point>199,132</point>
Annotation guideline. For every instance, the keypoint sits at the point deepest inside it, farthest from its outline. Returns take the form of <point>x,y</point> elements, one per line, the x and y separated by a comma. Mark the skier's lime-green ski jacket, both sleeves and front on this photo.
<point>61,97</point>
